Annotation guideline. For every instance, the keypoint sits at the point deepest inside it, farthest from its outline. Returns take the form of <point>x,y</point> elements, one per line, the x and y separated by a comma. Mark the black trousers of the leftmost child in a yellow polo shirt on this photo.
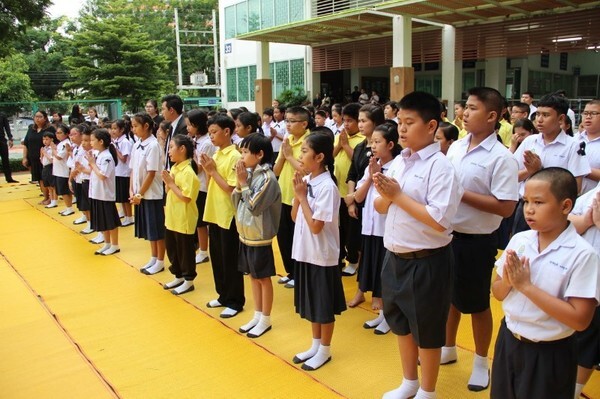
<point>180,250</point>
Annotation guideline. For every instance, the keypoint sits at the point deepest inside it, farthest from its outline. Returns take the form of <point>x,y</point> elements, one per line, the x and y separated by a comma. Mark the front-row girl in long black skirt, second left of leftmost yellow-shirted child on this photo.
<point>103,211</point>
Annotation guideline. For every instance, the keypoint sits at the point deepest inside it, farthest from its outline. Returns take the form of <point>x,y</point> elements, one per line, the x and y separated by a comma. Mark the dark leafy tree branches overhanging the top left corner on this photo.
<point>15,16</point>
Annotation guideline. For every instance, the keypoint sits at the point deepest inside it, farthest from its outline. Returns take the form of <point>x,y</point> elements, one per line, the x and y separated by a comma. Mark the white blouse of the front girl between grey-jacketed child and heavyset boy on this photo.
<point>321,249</point>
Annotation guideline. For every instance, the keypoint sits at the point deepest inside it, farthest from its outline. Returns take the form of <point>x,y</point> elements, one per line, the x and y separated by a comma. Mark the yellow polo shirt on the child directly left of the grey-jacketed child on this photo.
<point>219,207</point>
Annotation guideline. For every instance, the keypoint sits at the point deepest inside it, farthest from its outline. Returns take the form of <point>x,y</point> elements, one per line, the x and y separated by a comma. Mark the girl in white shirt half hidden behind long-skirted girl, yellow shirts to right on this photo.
<point>119,131</point>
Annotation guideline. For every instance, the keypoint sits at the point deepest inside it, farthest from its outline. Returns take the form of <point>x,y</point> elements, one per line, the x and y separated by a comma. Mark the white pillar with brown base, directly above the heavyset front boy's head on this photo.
<point>402,74</point>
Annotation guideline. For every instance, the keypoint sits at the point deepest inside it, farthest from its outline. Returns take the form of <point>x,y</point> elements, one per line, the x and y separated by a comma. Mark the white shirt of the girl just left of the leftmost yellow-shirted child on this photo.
<point>145,157</point>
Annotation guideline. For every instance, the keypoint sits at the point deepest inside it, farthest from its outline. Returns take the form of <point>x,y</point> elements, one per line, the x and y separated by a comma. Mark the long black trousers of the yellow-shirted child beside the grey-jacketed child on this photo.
<point>223,245</point>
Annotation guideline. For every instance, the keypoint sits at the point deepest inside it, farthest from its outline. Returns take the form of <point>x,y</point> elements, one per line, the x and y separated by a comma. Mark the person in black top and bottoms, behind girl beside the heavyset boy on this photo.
<point>369,117</point>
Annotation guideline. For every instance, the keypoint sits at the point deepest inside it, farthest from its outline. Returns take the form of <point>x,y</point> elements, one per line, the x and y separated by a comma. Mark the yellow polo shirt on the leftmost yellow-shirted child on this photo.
<point>179,216</point>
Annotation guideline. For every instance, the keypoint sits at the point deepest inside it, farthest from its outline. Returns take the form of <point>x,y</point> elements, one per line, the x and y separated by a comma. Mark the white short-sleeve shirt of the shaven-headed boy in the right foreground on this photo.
<point>568,267</point>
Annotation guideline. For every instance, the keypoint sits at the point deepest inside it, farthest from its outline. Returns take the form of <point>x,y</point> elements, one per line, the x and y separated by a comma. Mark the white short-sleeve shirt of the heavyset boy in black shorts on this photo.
<point>429,178</point>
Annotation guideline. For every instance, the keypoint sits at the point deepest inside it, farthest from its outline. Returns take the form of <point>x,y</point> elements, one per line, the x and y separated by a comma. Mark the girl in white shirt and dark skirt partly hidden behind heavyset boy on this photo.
<point>384,149</point>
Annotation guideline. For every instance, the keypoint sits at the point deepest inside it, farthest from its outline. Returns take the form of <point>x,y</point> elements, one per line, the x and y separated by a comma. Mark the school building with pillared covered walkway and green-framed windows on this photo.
<point>442,46</point>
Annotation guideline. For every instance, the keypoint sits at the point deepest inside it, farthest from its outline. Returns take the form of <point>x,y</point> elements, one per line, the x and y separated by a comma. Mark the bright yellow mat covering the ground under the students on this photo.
<point>117,330</point>
